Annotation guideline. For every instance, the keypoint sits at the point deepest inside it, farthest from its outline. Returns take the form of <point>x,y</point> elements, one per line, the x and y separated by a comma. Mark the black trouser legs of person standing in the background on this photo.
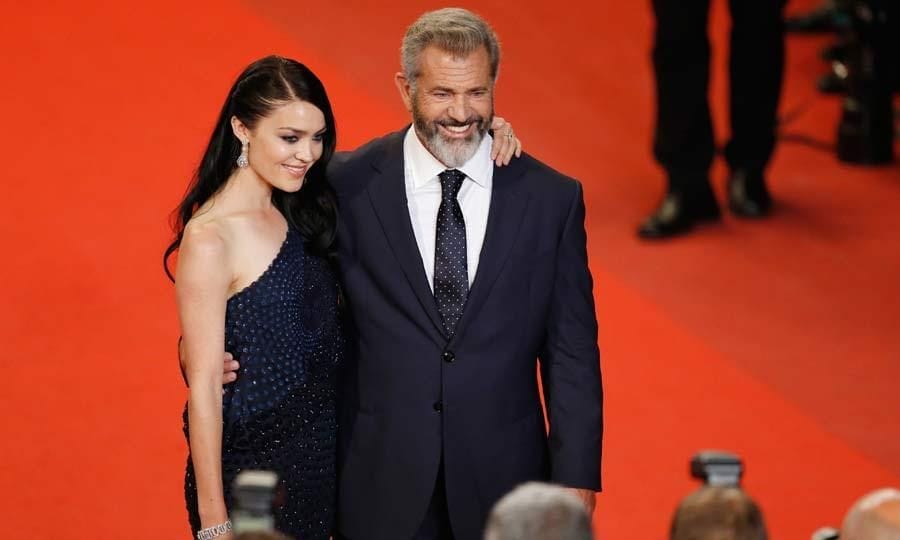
<point>683,141</point>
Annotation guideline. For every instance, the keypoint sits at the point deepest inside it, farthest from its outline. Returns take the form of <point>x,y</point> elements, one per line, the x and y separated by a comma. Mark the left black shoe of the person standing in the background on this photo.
<point>677,214</point>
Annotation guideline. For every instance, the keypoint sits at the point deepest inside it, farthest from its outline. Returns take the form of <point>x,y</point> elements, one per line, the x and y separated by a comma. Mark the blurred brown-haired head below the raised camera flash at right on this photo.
<point>718,513</point>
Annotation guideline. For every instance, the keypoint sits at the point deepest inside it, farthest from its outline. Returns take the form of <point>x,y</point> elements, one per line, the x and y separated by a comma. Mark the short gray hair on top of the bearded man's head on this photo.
<point>454,30</point>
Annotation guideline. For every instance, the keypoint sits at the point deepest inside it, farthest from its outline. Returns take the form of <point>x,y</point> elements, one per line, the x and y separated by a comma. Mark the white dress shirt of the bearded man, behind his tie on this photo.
<point>423,196</point>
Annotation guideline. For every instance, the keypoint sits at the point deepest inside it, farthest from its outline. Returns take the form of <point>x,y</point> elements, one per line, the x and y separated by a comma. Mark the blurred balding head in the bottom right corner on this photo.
<point>876,516</point>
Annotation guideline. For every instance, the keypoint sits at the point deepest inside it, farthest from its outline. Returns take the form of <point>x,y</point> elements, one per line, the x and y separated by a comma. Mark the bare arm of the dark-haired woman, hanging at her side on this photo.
<point>201,287</point>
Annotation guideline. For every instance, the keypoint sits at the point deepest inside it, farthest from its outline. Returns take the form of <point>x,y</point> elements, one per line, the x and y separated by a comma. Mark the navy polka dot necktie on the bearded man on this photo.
<point>451,275</point>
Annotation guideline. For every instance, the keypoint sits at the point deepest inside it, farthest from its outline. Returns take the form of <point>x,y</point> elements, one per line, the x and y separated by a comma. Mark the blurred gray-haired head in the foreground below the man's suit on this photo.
<point>536,511</point>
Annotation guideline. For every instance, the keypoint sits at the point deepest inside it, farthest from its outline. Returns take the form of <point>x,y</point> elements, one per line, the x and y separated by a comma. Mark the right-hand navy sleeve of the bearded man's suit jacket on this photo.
<point>570,362</point>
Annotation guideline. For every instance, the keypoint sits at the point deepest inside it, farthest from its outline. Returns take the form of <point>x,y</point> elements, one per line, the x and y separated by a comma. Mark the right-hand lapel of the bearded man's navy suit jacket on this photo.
<point>507,209</point>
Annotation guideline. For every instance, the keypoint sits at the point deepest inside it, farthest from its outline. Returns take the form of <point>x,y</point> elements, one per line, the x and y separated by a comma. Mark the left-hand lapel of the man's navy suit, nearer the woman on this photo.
<point>388,196</point>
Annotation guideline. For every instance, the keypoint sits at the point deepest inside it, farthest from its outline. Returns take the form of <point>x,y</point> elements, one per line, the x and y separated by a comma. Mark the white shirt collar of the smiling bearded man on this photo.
<point>425,167</point>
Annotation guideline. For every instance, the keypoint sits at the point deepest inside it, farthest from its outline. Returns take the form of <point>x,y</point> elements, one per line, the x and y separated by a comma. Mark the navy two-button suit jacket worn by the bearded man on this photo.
<point>414,397</point>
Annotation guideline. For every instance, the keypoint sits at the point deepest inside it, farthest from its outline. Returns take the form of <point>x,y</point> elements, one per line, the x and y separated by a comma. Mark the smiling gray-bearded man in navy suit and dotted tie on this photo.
<point>460,276</point>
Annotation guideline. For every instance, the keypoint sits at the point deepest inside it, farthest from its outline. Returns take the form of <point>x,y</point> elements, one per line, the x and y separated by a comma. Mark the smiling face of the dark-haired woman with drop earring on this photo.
<point>285,144</point>
